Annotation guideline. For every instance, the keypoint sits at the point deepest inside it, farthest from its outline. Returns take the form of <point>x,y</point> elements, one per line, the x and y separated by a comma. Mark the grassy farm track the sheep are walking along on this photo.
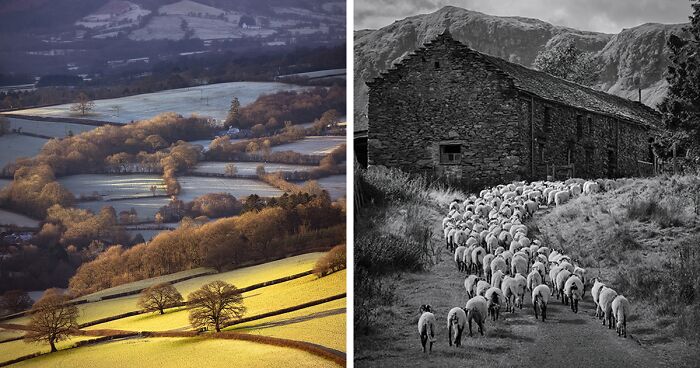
<point>515,340</point>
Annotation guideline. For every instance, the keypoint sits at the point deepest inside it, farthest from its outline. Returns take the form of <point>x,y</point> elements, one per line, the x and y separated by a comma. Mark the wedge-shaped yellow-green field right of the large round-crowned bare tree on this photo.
<point>327,321</point>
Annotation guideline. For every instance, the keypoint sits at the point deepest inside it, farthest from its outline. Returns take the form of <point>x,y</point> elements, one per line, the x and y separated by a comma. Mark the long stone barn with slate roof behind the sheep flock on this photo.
<point>452,112</point>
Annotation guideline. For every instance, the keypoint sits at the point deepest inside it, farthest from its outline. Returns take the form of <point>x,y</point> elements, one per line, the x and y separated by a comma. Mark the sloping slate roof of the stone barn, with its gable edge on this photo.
<point>549,87</point>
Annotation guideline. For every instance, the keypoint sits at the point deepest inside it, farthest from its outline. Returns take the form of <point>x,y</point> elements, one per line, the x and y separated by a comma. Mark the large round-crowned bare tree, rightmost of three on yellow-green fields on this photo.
<point>215,304</point>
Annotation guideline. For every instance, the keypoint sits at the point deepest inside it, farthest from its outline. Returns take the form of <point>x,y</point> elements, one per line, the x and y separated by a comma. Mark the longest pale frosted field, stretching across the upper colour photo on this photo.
<point>211,100</point>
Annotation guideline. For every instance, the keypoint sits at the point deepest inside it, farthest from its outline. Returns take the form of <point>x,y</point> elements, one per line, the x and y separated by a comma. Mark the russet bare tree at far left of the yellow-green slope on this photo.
<point>52,319</point>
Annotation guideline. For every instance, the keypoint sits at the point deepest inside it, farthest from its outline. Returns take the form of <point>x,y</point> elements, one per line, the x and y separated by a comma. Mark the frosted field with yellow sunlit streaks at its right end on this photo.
<point>113,186</point>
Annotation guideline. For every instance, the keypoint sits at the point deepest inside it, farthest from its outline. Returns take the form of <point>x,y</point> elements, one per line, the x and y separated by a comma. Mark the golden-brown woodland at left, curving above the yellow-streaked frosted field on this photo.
<point>104,149</point>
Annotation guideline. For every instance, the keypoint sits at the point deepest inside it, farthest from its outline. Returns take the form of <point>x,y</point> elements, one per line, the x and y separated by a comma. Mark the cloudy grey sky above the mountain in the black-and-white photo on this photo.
<point>609,16</point>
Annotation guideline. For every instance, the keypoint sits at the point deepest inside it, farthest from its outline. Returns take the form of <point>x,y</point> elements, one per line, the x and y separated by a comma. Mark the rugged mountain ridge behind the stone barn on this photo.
<point>631,60</point>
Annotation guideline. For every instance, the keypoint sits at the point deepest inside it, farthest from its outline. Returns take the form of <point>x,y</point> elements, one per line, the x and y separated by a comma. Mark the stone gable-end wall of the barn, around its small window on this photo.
<point>438,96</point>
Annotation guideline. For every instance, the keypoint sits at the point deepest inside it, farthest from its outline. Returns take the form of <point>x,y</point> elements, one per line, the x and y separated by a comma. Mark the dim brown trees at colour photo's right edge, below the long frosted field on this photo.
<point>269,112</point>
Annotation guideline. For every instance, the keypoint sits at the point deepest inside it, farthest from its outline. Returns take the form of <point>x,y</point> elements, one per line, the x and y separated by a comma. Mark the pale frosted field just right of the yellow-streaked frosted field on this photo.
<point>193,187</point>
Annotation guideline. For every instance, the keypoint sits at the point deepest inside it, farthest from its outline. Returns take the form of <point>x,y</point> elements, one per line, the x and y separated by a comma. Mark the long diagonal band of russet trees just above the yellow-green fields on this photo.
<point>255,236</point>
